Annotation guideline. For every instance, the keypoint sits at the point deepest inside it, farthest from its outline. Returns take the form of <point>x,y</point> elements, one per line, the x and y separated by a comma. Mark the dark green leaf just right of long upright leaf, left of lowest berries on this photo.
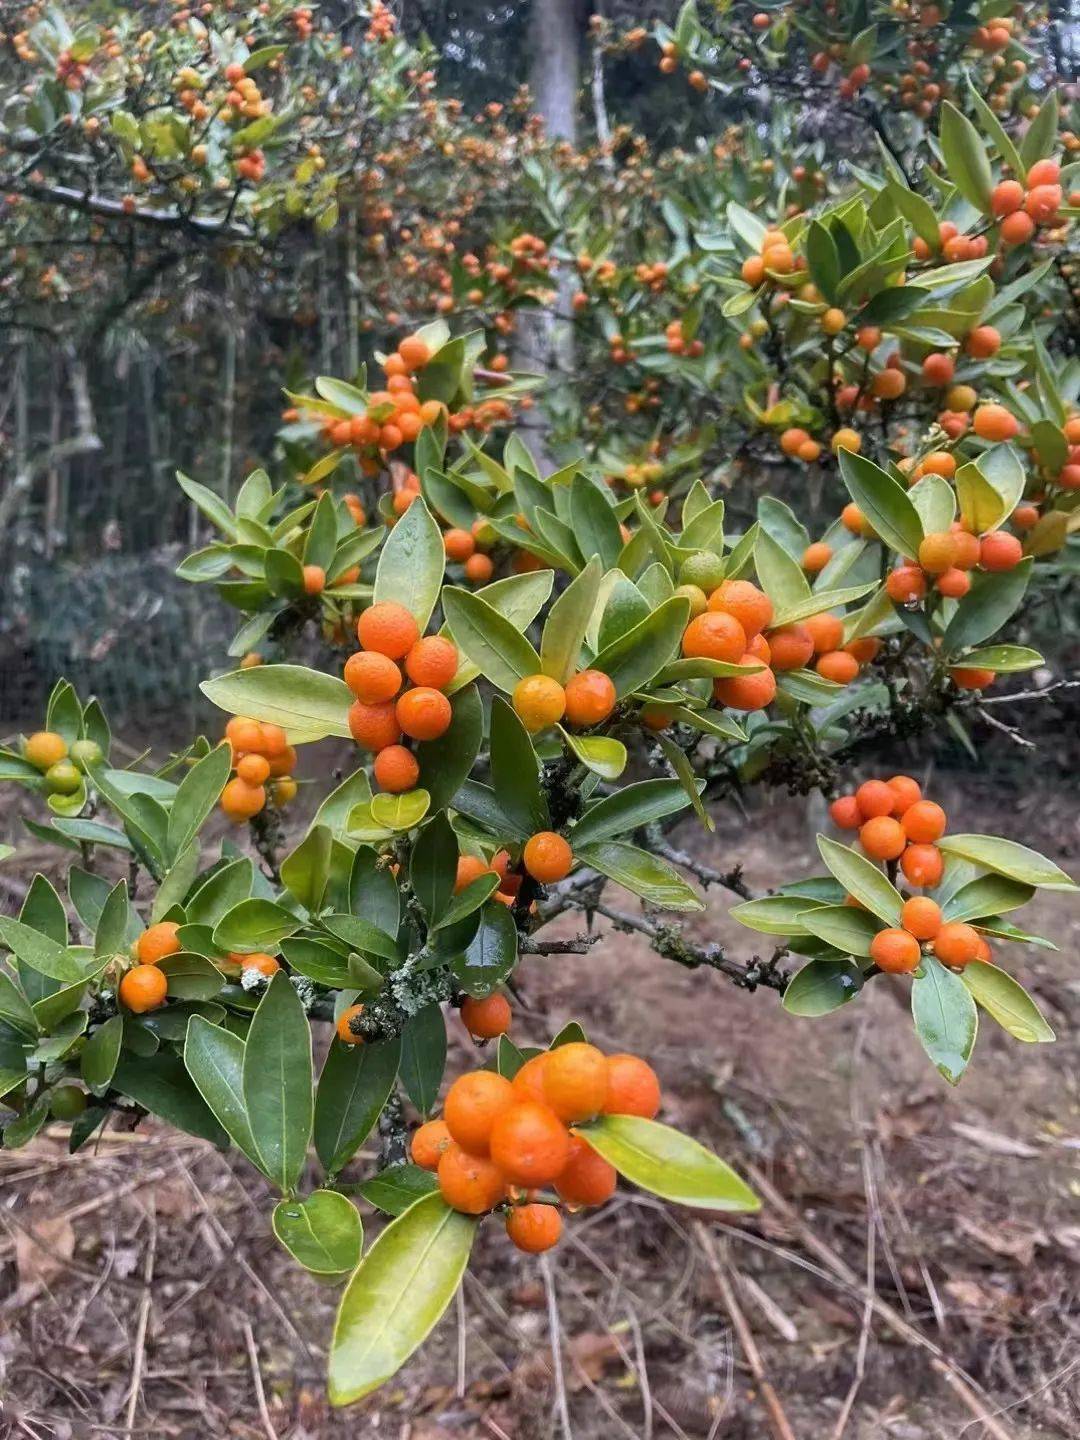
<point>354,1088</point>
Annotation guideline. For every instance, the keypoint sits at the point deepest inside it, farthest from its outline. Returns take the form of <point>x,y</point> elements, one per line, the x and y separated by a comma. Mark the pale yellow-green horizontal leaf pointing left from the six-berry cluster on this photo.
<point>306,703</point>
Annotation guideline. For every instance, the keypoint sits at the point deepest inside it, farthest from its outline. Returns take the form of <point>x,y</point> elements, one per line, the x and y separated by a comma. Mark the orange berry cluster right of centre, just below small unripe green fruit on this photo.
<point>734,629</point>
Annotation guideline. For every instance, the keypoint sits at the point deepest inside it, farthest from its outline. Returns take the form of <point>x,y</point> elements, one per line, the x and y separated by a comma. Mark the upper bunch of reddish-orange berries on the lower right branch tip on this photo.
<point>896,824</point>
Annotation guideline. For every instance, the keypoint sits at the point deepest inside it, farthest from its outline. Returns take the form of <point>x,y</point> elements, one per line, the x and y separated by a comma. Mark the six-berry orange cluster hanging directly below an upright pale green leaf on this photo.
<point>382,714</point>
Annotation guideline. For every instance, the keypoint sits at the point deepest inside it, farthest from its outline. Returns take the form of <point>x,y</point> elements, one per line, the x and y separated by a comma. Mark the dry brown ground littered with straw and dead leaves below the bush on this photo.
<point>140,1285</point>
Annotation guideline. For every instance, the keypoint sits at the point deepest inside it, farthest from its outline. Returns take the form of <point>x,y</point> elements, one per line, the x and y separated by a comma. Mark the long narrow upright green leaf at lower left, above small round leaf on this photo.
<point>277,1082</point>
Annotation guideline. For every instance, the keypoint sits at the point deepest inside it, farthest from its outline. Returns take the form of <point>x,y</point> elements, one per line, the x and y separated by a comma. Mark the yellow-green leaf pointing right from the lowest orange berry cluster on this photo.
<point>667,1164</point>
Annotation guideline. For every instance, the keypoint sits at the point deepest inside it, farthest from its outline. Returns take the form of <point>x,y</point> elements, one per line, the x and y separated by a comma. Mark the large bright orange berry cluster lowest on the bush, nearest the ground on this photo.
<point>502,1141</point>
